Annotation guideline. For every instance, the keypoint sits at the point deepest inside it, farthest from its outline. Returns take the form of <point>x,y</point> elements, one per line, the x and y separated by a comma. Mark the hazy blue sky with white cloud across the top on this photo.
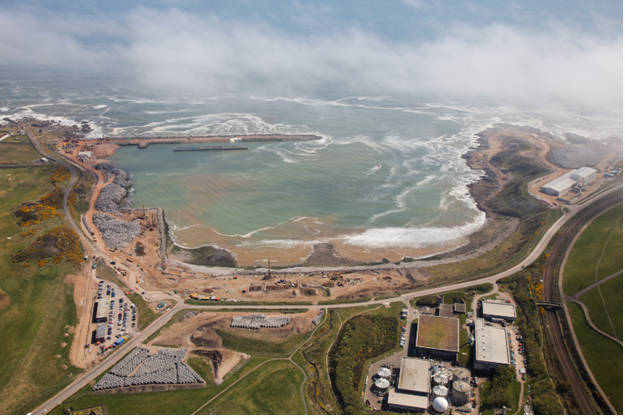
<point>566,53</point>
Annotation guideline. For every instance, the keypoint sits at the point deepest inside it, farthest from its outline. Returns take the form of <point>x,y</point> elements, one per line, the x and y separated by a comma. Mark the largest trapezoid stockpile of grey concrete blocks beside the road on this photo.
<point>166,367</point>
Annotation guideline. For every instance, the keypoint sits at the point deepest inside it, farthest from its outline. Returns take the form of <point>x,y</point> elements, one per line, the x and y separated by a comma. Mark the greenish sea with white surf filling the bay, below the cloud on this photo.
<point>387,179</point>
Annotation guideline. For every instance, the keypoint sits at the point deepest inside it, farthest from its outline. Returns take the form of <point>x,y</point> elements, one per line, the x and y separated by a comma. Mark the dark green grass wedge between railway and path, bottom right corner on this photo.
<point>604,357</point>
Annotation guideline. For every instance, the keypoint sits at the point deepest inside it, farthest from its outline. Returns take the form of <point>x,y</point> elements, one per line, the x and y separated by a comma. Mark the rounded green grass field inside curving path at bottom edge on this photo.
<point>273,389</point>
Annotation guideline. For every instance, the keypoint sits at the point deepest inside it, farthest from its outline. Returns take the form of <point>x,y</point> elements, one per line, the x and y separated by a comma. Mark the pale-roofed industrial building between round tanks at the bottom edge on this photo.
<point>413,386</point>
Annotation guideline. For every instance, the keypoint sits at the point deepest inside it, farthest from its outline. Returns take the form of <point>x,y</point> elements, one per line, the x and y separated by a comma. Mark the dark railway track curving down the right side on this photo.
<point>550,282</point>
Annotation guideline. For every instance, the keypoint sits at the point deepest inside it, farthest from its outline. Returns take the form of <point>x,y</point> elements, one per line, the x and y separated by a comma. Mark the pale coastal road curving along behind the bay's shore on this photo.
<point>90,375</point>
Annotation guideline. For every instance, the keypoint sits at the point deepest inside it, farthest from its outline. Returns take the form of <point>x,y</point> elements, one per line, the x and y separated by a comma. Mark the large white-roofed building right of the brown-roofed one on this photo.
<point>491,346</point>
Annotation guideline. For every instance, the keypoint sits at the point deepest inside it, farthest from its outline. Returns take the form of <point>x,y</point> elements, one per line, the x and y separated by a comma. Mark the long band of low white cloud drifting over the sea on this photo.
<point>175,51</point>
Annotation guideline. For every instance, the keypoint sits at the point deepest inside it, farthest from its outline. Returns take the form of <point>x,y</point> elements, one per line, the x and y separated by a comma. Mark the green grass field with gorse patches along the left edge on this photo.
<point>37,326</point>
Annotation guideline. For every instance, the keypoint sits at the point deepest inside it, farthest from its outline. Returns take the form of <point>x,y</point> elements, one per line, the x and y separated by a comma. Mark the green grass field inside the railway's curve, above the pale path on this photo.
<point>581,266</point>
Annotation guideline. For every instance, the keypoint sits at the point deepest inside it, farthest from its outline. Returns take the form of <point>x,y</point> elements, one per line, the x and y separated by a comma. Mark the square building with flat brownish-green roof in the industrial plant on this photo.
<point>437,337</point>
